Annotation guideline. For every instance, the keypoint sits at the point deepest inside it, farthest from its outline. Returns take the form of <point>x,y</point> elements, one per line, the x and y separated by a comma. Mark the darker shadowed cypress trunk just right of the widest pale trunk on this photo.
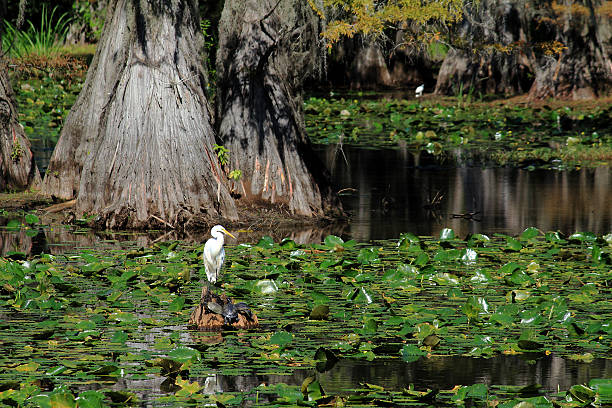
<point>266,48</point>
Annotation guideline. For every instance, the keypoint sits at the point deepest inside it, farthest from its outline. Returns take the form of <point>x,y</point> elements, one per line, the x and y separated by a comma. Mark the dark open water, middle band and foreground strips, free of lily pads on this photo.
<point>386,193</point>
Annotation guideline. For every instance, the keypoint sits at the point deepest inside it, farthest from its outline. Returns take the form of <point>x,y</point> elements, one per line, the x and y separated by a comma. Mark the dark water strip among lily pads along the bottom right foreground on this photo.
<point>551,373</point>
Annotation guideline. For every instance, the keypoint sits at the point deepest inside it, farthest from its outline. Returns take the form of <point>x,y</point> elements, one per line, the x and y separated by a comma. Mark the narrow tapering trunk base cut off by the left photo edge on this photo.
<point>17,167</point>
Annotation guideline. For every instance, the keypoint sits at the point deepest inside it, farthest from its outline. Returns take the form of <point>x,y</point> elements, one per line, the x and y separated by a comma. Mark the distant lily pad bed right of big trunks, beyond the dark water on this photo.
<point>562,137</point>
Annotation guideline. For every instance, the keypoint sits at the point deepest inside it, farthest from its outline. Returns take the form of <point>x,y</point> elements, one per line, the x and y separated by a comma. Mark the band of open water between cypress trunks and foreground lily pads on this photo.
<point>388,192</point>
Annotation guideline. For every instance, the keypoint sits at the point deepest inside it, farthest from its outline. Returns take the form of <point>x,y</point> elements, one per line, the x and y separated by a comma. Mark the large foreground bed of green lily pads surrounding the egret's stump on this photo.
<point>118,312</point>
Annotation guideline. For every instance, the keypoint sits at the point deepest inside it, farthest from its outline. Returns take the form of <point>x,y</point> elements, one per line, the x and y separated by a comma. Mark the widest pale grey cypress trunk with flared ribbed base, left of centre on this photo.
<point>137,145</point>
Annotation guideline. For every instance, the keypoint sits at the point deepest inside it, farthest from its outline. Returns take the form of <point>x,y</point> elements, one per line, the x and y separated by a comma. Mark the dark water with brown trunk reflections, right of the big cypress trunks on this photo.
<point>395,191</point>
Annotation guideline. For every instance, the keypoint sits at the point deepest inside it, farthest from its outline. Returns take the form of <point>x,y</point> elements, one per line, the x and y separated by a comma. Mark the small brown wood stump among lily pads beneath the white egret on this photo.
<point>206,319</point>
